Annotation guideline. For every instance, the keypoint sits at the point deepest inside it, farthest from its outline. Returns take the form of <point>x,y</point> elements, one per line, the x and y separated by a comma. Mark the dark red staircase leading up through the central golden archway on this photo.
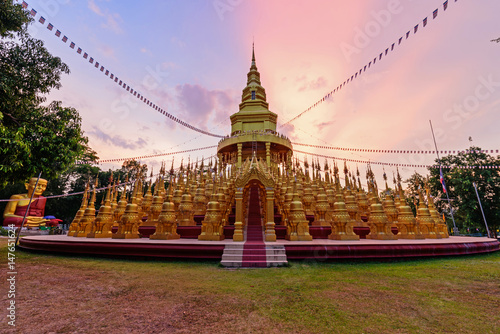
<point>254,249</point>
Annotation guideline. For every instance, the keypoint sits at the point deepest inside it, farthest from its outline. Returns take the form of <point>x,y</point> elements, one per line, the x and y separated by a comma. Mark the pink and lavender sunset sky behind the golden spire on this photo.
<point>191,58</point>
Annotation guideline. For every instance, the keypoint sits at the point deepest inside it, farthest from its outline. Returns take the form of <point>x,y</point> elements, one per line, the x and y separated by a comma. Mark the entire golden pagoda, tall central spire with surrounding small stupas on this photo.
<point>255,155</point>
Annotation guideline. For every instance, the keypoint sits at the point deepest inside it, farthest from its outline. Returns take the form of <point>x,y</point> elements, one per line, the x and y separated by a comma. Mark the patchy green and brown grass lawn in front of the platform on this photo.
<point>62,294</point>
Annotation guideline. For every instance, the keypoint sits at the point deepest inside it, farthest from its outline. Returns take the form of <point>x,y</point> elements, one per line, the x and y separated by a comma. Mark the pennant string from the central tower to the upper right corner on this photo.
<point>366,67</point>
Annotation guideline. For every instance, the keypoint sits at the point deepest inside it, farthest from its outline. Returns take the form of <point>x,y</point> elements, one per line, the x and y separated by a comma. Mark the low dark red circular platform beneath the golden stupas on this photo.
<point>318,249</point>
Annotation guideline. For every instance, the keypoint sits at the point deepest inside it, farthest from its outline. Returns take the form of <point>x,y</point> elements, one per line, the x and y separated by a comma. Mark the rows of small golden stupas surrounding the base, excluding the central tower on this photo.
<point>296,197</point>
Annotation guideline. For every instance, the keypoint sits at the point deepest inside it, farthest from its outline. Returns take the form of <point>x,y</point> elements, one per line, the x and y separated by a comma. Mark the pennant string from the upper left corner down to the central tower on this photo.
<point>114,77</point>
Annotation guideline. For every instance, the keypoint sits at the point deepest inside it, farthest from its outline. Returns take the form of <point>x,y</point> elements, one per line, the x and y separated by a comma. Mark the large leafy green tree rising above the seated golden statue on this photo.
<point>34,136</point>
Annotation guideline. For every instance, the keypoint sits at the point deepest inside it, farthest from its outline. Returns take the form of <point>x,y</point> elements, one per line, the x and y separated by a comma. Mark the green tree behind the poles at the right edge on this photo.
<point>459,184</point>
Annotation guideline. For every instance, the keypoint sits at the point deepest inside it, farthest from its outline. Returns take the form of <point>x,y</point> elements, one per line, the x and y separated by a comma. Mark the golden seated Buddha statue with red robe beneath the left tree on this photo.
<point>16,208</point>
